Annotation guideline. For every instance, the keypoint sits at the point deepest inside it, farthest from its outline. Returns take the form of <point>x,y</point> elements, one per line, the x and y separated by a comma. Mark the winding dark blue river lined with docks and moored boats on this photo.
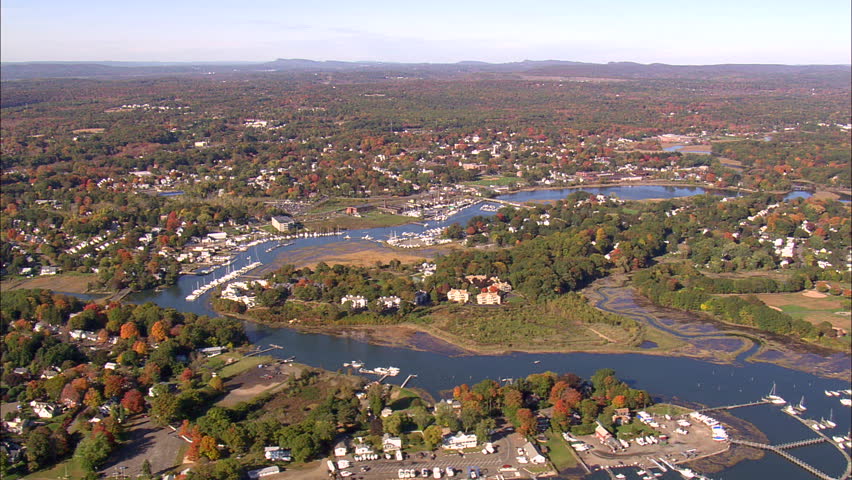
<point>668,378</point>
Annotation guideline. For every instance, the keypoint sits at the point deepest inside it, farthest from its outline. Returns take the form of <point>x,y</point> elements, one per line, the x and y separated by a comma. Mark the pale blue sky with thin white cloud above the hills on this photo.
<point>683,32</point>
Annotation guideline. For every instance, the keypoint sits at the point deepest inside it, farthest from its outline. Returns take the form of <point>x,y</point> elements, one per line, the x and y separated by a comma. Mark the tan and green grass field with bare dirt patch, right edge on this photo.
<point>834,310</point>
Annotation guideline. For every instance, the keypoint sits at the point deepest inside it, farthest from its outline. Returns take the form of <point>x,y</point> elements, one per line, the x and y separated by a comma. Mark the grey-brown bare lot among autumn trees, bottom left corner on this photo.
<point>158,445</point>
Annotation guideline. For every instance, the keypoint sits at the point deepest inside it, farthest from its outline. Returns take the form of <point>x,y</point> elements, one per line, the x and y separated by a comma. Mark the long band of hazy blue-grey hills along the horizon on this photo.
<point>527,68</point>
